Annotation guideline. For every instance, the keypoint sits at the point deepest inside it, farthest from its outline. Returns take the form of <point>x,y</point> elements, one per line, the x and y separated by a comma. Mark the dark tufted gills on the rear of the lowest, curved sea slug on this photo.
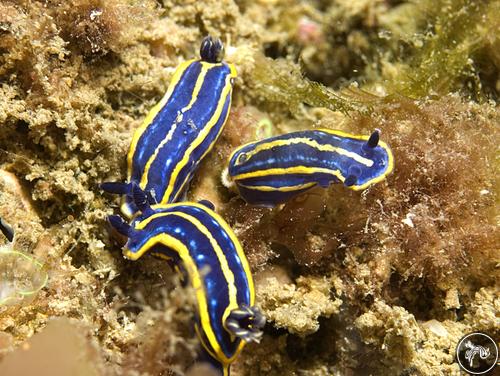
<point>246,323</point>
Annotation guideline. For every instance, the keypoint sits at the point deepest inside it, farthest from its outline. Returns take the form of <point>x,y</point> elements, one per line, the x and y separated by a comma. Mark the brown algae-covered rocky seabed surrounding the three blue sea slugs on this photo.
<point>384,281</point>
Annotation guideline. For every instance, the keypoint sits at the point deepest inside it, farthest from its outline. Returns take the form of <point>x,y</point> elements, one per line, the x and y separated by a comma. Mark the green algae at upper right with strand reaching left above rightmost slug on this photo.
<point>441,42</point>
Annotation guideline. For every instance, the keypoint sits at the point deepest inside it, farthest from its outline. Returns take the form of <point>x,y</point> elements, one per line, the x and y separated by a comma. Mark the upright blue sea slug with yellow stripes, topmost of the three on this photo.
<point>180,130</point>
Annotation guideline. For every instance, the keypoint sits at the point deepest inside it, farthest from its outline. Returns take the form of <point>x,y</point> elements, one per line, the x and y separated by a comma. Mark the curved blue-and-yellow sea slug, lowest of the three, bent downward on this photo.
<point>204,249</point>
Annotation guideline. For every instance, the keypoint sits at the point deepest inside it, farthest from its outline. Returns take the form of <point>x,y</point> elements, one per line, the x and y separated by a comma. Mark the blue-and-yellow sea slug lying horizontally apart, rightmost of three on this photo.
<point>273,170</point>
